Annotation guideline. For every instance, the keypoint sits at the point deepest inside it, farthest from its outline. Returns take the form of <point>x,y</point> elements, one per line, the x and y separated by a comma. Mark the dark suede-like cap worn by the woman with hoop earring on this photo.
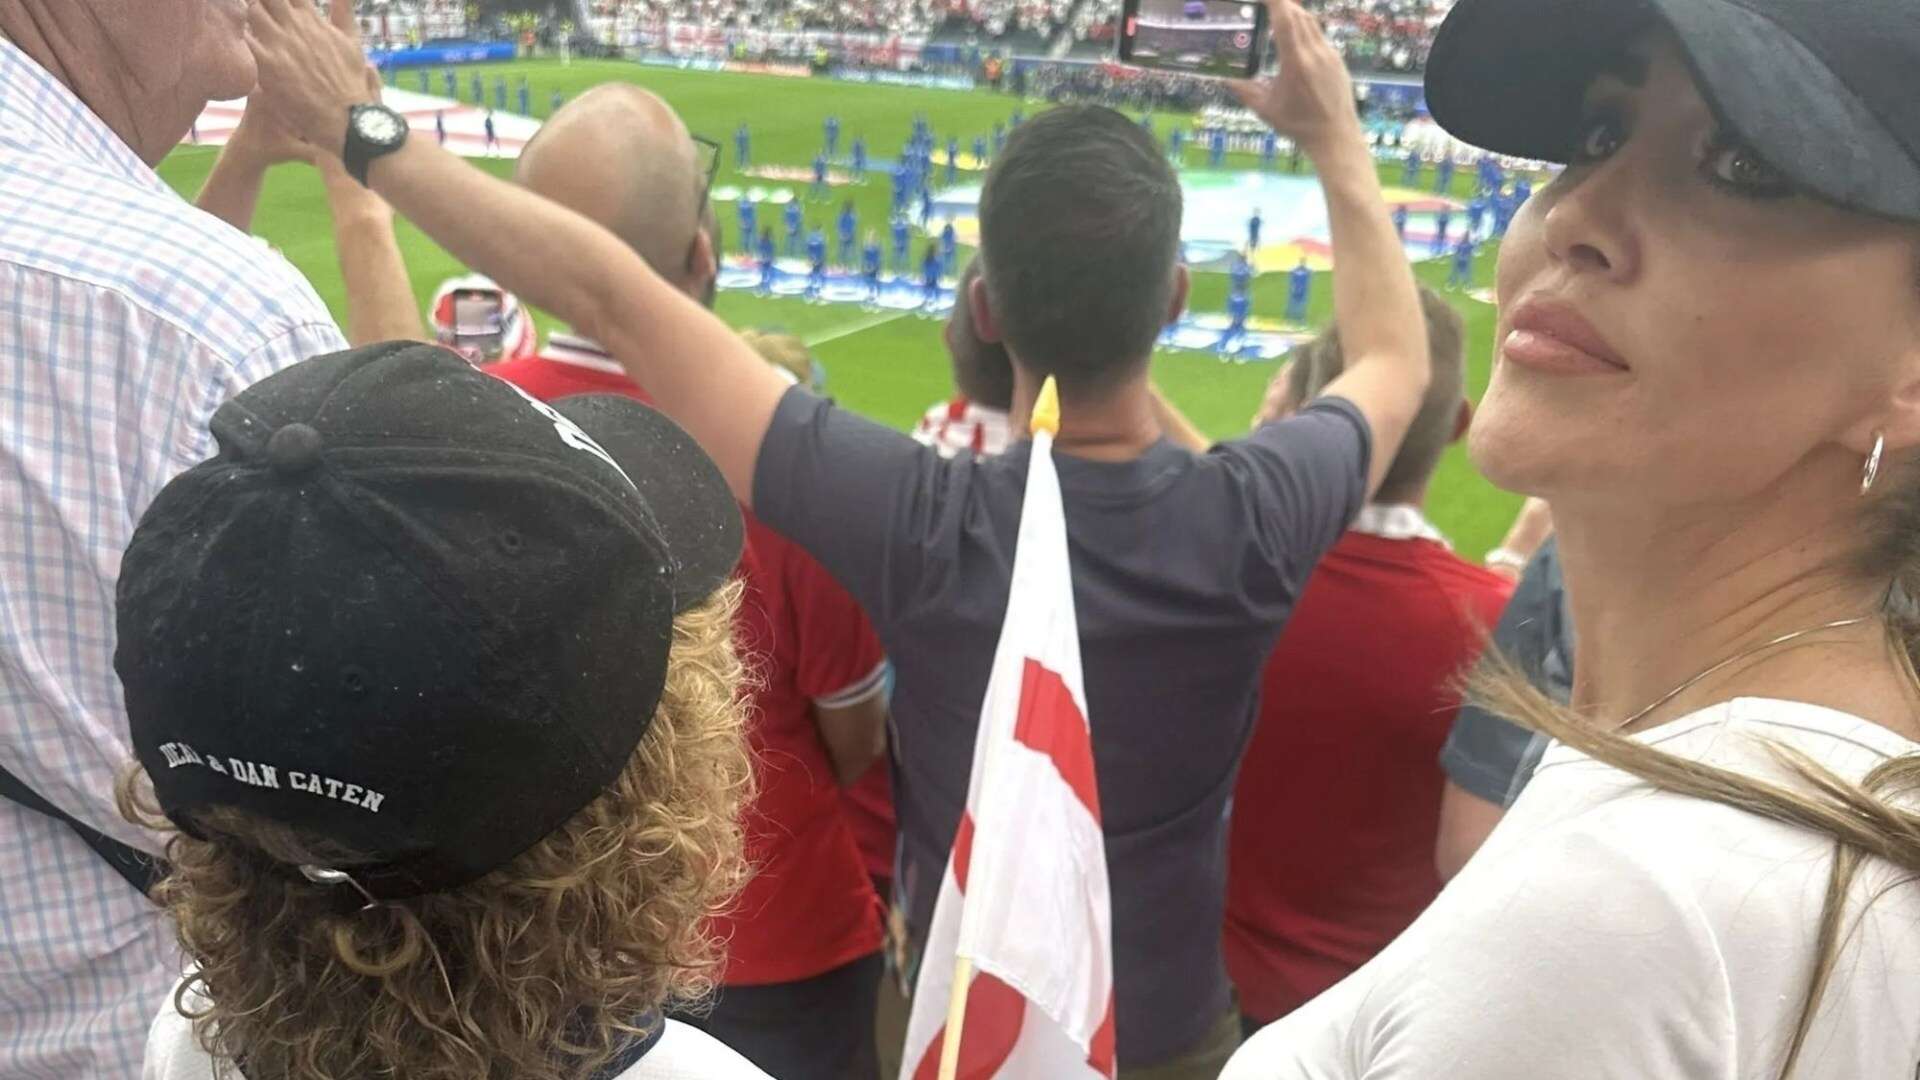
<point>1510,76</point>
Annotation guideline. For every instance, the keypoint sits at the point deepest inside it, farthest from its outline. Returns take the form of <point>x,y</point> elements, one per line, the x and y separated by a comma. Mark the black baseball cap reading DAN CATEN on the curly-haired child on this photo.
<point>414,612</point>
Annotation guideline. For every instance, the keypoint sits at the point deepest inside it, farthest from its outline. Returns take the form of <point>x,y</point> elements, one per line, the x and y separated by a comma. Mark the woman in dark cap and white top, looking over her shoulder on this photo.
<point>1710,364</point>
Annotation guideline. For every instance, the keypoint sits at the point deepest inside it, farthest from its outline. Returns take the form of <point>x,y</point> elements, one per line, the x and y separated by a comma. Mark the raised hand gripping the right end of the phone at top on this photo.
<point>1310,99</point>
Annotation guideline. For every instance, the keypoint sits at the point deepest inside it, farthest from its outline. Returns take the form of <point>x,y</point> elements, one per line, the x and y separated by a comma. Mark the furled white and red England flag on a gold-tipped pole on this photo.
<point>1019,973</point>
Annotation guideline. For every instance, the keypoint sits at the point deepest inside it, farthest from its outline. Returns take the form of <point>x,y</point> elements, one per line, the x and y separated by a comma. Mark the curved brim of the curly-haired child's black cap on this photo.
<point>683,487</point>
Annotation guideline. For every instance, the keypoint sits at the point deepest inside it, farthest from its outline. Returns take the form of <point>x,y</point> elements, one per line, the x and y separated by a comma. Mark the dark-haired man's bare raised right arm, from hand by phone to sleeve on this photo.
<point>1376,301</point>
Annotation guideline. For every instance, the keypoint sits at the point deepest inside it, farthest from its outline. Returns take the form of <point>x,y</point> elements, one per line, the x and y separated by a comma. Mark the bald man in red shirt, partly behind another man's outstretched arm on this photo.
<point>804,960</point>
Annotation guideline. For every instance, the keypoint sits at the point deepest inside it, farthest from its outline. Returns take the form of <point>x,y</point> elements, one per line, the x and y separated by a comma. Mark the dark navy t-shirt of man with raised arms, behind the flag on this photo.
<point>1186,568</point>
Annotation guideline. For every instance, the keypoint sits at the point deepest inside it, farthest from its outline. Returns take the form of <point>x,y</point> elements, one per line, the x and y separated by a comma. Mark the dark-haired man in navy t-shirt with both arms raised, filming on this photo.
<point>1080,274</point>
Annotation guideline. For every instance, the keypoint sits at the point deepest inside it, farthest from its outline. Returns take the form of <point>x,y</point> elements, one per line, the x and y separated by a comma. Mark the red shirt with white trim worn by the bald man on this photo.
<point>809,906</point>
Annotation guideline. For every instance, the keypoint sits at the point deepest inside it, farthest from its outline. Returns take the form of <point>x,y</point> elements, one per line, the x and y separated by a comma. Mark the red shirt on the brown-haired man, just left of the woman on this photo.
<point>1332,847</point>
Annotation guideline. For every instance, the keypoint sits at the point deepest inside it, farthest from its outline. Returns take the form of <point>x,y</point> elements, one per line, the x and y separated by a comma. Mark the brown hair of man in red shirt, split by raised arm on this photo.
<point>1433,426</point>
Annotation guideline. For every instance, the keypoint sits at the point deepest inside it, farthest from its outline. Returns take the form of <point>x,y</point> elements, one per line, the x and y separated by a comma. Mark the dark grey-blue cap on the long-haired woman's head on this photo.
<point>1823,89</point>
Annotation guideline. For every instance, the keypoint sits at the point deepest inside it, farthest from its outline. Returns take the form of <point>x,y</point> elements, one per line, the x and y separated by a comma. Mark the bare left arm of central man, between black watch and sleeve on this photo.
<point>686,358</point>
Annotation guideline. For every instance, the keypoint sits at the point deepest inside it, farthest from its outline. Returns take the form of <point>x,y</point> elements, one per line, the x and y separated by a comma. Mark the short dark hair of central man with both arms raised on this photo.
<point>1080,237</point>
